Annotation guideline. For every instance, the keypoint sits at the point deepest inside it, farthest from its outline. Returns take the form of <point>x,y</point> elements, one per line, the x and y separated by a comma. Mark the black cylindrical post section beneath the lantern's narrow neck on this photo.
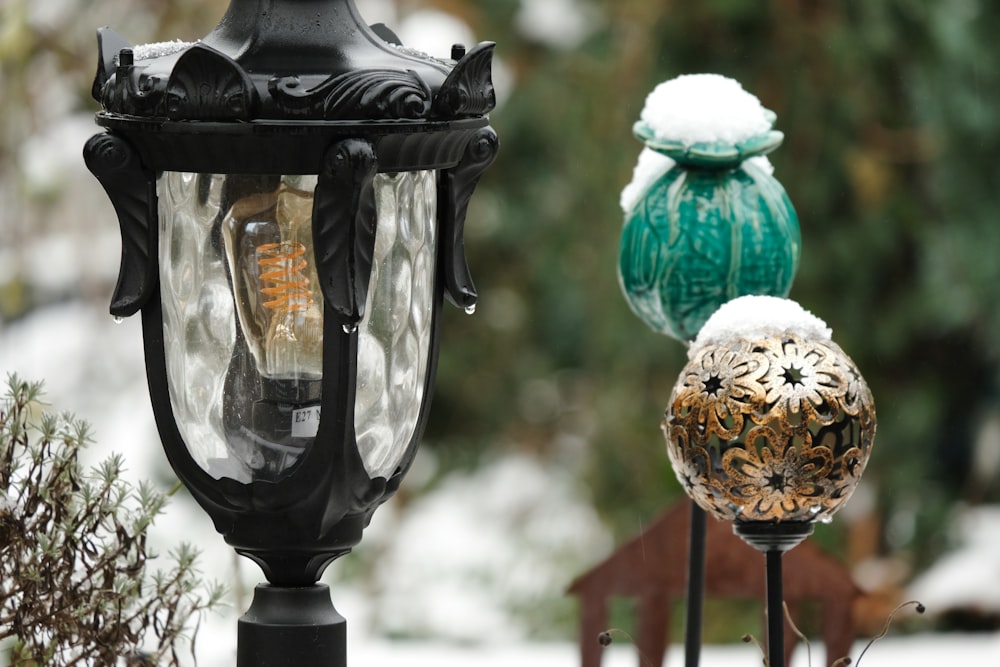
<point>291,626</point>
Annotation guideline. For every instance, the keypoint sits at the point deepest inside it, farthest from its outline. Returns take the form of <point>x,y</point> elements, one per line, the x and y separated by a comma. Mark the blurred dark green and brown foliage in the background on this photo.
<point>889,115</point>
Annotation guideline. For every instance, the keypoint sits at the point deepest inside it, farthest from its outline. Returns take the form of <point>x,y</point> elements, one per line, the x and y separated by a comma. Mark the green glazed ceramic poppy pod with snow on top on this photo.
<point>705,221</point>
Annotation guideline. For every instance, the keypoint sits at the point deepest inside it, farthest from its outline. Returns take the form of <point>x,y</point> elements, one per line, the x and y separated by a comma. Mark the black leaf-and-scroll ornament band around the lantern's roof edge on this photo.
<point>197,81</point>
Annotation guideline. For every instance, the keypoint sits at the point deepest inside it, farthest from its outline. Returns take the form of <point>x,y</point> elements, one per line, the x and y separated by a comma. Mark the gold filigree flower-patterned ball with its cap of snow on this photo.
<point>769,421</point>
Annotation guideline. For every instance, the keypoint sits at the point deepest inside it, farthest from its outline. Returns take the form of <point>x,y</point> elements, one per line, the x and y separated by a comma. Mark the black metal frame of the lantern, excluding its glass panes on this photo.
<point>293,87</point>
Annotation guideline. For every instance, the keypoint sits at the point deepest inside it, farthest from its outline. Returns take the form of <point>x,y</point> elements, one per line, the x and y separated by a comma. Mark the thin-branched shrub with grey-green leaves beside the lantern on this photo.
<point>76,583</point>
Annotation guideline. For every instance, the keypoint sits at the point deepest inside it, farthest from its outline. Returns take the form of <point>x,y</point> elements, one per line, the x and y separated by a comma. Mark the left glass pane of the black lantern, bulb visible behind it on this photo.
<point>243,332</point>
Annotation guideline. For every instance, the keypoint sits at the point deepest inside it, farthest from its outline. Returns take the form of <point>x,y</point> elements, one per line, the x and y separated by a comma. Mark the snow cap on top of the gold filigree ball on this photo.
<point>753,317</point>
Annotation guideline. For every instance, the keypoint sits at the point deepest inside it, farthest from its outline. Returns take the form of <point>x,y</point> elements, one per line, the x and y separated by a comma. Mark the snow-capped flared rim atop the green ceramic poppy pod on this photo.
<point>706,119</point>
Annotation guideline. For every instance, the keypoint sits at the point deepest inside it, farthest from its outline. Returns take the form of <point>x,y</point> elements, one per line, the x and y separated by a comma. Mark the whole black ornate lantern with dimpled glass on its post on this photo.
<point>292,191</point>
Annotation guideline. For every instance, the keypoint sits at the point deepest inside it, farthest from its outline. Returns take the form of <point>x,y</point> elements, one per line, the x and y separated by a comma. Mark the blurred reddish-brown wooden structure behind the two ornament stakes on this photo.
<point>652,568</point>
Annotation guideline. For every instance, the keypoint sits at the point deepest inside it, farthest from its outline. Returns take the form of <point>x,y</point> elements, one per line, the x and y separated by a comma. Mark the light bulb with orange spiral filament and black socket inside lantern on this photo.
<point>273,393</point>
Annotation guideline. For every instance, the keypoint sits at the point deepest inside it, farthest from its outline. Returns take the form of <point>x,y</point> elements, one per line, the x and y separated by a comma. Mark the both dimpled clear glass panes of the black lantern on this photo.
<point>243,323</point>
